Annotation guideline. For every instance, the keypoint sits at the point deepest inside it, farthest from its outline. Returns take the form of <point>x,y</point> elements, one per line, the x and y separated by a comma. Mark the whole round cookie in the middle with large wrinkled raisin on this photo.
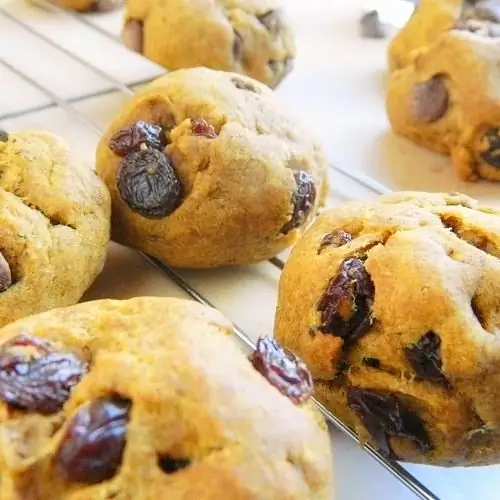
<point>207,168</point>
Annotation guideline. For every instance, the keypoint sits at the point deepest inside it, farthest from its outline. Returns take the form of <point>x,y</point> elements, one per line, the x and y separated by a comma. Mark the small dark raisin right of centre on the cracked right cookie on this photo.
<point>425,358</point>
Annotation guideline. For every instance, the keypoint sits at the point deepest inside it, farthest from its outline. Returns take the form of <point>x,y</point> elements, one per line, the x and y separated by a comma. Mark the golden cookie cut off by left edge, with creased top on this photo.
<point>54,225</point>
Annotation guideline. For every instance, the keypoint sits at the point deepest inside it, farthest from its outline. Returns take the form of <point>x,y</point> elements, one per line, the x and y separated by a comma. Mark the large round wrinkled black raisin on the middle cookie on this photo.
<point>147,182</point>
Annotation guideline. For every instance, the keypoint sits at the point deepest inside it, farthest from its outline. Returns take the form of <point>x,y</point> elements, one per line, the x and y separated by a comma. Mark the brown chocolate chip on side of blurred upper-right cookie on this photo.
<point>430,100</point>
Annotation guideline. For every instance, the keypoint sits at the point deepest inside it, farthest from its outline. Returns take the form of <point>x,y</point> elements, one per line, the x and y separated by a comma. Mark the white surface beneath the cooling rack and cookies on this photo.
<point>336,89</point>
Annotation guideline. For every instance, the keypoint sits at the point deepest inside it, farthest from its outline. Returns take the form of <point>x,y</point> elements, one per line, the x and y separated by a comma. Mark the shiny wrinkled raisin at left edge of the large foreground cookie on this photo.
<point>35,377</point>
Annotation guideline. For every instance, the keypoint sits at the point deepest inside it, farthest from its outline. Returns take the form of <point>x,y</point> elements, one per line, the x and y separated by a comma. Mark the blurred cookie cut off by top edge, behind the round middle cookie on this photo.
<point>251,37</point>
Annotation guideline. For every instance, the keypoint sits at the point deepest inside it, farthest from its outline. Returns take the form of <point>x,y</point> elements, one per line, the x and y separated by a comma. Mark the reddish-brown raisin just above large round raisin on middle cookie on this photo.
<point>132,138</point>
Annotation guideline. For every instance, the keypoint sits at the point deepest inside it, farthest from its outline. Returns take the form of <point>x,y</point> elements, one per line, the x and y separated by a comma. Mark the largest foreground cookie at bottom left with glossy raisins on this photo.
<point>151,398</point>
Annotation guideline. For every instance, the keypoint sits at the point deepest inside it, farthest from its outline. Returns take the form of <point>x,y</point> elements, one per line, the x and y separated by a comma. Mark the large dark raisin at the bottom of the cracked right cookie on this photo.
<point>384,416</point>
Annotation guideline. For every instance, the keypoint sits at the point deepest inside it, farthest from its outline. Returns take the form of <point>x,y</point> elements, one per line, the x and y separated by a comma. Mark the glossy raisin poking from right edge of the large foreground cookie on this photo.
<point>282,369</point>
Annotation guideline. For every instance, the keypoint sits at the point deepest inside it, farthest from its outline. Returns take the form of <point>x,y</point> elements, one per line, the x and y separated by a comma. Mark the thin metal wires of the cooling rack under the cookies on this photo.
<point>68,105</point>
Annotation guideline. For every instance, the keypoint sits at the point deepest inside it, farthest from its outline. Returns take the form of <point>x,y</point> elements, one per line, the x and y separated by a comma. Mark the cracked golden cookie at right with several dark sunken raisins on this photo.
<point>395,308</point>
